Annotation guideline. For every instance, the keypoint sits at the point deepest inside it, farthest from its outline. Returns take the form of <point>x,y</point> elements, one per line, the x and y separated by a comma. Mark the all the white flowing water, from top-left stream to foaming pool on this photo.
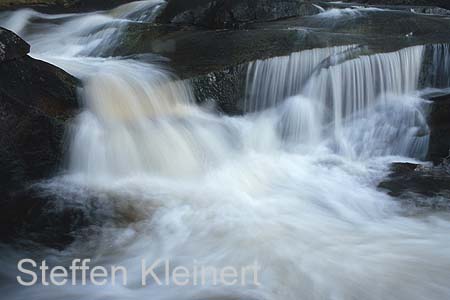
<point>288,187</point>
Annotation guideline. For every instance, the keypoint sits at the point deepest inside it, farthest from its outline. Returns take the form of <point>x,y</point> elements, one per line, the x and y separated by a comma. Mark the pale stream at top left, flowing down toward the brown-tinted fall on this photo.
<point>90,34</point>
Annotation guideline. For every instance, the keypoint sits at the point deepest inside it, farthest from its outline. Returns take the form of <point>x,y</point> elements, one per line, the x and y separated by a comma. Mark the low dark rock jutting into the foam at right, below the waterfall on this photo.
<point>420,186</point>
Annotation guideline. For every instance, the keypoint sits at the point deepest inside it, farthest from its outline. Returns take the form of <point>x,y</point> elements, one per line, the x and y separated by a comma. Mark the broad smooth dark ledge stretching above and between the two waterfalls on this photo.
<point>198,52</point>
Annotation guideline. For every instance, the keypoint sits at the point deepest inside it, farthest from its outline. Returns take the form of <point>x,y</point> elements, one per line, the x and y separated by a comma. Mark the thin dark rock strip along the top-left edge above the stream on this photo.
<point>59,6</point>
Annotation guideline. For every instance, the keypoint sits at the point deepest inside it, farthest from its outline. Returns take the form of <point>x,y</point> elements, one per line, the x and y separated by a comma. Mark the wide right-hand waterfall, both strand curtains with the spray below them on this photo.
<point>336,87</point>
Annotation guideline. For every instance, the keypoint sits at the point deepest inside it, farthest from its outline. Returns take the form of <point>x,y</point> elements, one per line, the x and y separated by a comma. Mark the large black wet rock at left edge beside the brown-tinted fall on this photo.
<point>36,101</point>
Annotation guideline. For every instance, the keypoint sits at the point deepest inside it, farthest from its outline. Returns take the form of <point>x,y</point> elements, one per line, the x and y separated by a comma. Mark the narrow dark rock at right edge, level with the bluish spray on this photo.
<point>439,123</point>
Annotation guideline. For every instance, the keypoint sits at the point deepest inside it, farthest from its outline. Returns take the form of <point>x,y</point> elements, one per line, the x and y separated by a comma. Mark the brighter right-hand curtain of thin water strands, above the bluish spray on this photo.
<point>356,84</point>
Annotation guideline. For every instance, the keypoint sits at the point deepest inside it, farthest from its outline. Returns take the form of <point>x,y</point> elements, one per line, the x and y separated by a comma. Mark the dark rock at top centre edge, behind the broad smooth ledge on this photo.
<point>232,13</point>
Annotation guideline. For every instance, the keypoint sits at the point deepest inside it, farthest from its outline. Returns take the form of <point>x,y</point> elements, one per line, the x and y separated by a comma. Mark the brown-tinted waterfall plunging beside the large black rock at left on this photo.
<point>126,128</point>
